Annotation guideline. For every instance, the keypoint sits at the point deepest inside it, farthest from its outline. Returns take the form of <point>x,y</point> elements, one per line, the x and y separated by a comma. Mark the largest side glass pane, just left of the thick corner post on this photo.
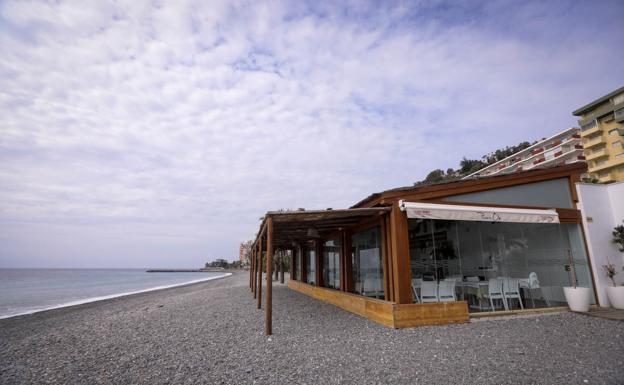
<point>367,263</point>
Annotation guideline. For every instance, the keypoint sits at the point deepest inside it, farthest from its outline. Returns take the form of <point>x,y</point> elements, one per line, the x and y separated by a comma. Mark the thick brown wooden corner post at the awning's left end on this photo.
<point>399,242</point>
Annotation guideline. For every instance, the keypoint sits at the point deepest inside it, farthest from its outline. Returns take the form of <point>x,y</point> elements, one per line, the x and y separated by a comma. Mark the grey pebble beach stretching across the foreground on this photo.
<point>212,333</point>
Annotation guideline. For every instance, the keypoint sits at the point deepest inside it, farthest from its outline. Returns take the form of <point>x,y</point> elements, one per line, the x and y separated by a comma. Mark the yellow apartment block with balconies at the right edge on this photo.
<point>602,130</point>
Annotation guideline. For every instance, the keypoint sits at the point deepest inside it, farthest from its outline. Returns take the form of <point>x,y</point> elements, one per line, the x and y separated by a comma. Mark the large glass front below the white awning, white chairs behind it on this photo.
<point>493,265</point>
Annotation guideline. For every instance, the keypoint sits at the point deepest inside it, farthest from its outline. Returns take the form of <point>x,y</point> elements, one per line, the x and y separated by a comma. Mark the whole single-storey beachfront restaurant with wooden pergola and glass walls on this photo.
<point>436,254</point>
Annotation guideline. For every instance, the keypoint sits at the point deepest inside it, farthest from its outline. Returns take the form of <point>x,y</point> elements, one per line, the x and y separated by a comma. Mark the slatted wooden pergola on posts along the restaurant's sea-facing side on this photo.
<point>285,230</point>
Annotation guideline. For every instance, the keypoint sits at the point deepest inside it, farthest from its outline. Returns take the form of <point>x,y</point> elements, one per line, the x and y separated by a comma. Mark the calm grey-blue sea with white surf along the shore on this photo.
<point>25,291</point>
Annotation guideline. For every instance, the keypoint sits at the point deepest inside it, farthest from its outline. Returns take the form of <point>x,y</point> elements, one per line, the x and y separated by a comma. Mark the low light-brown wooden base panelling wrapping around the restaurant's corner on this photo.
<point>388,313</point>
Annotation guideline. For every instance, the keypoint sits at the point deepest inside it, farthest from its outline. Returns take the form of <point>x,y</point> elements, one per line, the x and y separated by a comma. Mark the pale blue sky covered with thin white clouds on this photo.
<point>158,133</point>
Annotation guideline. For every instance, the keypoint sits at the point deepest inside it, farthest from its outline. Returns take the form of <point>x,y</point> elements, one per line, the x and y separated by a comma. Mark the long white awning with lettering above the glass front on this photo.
<point>477,213</point>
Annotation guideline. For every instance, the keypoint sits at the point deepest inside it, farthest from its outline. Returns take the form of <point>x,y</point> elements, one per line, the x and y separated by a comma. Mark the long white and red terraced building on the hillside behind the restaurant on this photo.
<point>560,149</point>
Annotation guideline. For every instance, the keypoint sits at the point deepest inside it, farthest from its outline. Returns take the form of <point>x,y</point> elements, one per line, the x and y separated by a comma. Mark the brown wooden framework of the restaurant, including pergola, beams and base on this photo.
<point>304,232</point>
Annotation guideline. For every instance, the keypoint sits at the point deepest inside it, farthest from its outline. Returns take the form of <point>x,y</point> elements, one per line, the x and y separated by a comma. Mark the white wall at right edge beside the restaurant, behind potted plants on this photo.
<point>602,207</point>
